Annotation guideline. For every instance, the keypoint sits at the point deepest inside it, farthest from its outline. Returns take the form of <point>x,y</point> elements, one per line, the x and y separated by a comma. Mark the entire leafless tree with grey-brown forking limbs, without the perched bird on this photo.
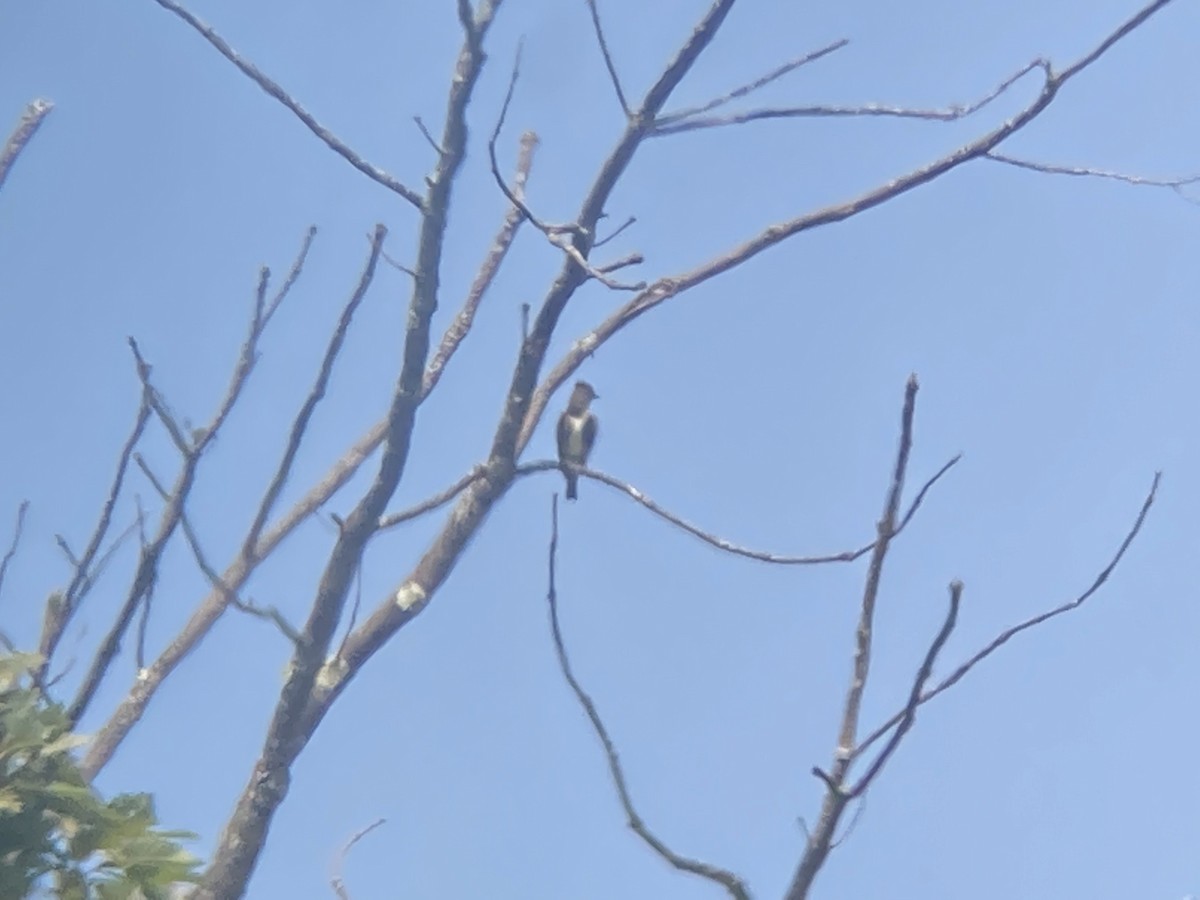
<point>321,667</point>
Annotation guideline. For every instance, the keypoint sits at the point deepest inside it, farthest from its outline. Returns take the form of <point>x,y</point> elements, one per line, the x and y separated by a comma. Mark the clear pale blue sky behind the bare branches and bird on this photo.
<point>1052,321</point>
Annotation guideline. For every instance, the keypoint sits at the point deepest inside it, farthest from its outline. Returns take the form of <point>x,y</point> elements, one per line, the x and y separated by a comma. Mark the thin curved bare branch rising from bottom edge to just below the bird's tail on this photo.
<point>733,885</point>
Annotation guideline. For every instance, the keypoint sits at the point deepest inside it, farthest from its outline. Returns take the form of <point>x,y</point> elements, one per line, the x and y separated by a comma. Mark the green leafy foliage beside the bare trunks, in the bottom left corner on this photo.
<point>57,835</point>
